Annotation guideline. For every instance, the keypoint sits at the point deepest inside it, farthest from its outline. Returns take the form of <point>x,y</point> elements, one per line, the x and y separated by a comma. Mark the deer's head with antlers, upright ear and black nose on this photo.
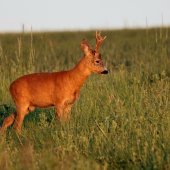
<point>93,57</point>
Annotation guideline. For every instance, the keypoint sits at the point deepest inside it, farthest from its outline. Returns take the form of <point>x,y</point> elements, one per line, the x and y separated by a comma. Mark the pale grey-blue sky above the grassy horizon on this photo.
<point>57,15</point>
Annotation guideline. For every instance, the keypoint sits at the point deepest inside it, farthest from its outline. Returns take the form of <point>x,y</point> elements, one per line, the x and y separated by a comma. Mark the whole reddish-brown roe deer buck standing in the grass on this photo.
<point>59,89</point>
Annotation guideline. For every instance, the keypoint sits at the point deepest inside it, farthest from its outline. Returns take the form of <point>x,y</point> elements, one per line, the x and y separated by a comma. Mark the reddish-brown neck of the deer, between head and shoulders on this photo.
<point>80,73</point>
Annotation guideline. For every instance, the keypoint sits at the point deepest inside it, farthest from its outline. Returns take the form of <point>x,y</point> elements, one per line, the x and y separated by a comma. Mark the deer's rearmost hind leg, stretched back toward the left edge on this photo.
<point>8,121</point>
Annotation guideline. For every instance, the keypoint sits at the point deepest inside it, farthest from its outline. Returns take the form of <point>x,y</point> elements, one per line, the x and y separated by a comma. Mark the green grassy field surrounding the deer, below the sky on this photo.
<point>120,121</point>
